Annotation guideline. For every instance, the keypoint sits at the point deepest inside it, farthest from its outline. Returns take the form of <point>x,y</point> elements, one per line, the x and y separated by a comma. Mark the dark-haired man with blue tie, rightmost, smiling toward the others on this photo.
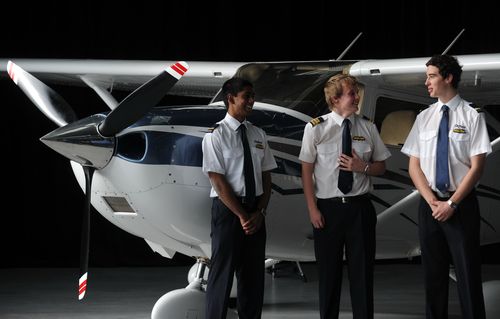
<point>449,219</point>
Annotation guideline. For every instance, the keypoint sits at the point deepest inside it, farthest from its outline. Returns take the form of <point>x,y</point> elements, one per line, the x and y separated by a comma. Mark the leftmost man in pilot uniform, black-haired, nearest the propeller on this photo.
<point>238,218</point>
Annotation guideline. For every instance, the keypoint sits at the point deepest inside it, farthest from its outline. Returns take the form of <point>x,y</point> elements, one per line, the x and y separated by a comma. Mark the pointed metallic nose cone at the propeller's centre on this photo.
<point>81,142</point>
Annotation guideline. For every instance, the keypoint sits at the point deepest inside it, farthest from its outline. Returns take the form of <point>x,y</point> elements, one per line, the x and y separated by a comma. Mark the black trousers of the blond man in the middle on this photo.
<point>349,226</point>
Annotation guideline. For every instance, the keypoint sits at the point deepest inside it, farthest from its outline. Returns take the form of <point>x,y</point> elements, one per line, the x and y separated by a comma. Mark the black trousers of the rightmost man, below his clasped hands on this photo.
<point>455,240</point>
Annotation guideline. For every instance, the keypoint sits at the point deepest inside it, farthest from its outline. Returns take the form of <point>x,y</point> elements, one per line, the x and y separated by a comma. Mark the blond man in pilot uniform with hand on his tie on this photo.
<point>342,214</point>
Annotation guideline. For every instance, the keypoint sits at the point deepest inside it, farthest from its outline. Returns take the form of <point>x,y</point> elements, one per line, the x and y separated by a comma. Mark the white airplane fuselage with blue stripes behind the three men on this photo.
<point>153,187</point>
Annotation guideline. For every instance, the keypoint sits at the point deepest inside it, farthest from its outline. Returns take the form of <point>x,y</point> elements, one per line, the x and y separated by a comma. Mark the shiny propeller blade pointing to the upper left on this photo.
<point>46,99</point>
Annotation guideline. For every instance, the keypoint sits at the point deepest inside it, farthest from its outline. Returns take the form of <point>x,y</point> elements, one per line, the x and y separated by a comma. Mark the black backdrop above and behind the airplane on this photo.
<point>42,206</point>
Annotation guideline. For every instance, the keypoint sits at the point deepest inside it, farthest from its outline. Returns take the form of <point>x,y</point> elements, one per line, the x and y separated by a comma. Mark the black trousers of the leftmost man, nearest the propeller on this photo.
<point>234,252</point>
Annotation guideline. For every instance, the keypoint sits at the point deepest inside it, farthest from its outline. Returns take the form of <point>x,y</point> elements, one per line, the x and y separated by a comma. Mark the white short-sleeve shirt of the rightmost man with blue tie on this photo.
<point>468,137</point>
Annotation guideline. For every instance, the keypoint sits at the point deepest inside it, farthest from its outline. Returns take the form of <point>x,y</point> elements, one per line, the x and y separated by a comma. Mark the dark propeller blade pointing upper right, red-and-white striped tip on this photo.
<point>135,105</point>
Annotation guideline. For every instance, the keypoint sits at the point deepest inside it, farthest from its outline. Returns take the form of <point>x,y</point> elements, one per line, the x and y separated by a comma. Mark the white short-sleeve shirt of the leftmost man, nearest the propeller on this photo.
<point>223,154</point>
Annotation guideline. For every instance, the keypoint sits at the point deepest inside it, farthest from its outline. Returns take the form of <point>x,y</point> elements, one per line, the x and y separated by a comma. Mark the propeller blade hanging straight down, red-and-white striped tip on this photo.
<point>85,240</point>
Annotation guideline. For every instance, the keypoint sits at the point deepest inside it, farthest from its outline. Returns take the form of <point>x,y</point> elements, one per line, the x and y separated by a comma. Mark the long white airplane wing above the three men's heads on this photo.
<point>480,77</point>
